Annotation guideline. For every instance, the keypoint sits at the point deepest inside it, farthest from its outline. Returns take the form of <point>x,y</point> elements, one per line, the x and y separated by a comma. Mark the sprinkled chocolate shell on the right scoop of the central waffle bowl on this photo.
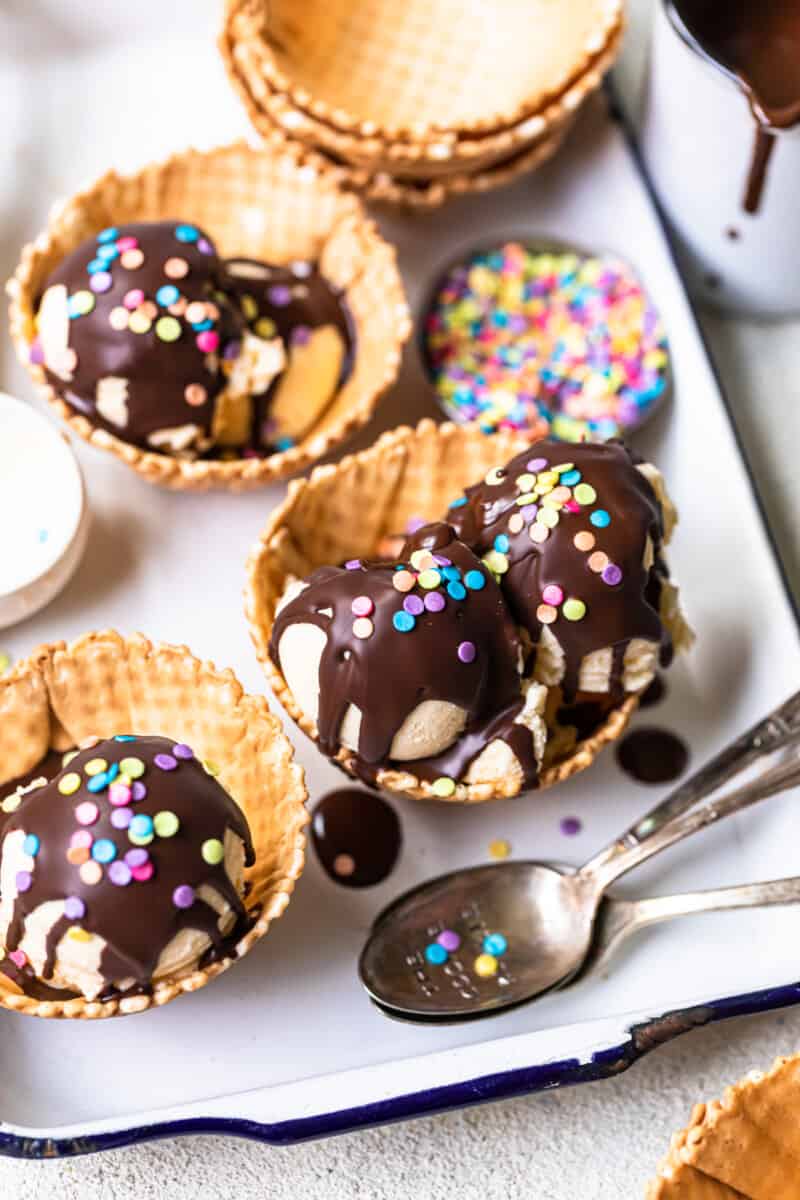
<point>566,529</point>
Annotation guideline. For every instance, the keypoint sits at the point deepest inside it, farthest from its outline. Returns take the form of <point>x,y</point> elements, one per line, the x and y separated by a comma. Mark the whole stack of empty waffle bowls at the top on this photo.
<point>388,94</point>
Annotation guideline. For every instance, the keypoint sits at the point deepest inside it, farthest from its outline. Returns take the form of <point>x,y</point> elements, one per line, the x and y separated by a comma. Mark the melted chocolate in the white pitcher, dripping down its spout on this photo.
<point>760,45</point>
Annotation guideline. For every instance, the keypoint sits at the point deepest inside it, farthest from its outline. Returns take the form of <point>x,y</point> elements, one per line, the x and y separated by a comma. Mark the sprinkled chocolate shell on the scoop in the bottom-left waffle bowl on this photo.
<point>119,878</point>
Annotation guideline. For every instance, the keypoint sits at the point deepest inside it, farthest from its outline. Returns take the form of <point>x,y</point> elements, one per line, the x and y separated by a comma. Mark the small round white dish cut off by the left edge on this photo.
<point>43,485</point>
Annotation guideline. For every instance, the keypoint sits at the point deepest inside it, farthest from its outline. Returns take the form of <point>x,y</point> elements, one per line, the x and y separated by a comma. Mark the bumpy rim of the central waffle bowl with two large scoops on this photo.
<point>402,783</point>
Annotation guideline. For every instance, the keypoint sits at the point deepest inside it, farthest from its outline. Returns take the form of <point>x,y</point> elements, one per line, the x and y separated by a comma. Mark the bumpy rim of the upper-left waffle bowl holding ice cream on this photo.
<point>203,475</point>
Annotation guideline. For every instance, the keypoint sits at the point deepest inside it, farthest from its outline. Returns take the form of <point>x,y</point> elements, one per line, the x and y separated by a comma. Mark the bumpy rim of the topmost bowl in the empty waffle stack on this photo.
<point>348,123</point>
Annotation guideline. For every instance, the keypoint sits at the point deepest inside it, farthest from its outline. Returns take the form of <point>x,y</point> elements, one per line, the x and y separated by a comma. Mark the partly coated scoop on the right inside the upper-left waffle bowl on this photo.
<point>300,309</point>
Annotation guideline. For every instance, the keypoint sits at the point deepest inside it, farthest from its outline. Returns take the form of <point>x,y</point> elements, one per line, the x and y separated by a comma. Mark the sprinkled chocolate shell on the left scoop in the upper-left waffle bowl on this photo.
<point>170,356</point>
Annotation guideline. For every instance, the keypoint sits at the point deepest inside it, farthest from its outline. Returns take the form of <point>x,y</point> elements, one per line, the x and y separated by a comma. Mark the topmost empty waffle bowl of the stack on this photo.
<point>407,74</point>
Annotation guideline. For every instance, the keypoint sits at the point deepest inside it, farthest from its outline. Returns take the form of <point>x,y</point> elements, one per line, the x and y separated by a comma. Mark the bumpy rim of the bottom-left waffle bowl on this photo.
<point>189,980</point>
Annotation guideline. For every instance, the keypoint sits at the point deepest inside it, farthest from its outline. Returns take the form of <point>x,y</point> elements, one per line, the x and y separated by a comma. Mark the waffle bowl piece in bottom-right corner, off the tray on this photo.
<point>745,1147</point>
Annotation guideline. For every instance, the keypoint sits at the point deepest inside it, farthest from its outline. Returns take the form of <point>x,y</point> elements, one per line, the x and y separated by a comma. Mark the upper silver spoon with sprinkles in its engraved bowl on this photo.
<point>546,914</point>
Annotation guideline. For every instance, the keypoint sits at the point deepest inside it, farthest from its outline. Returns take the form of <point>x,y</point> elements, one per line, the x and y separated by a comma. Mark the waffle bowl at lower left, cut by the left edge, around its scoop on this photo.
<point>104,683</point>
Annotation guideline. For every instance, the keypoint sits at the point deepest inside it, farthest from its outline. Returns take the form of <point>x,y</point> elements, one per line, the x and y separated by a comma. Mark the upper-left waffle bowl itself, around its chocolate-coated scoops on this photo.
<point>275,203</point>
